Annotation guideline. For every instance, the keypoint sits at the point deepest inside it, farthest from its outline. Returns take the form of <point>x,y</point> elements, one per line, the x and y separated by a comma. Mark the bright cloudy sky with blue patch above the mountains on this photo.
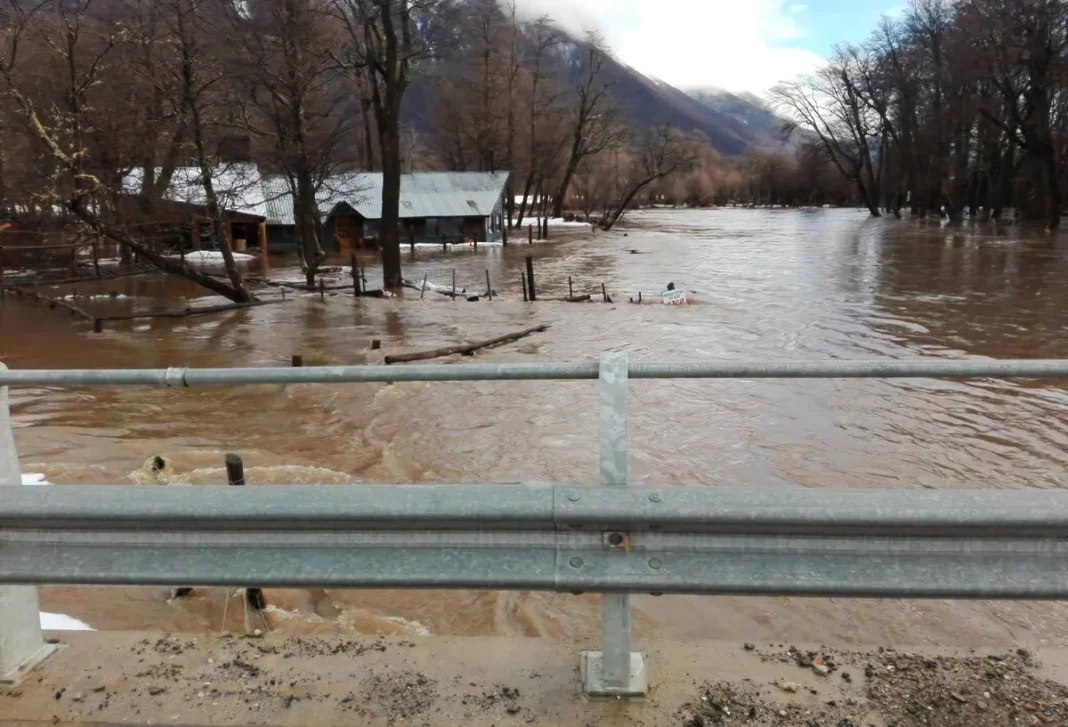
<point>740,45</point>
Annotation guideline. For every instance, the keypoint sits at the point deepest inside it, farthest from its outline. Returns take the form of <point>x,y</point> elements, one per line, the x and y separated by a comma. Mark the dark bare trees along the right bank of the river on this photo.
<point>959,108</point>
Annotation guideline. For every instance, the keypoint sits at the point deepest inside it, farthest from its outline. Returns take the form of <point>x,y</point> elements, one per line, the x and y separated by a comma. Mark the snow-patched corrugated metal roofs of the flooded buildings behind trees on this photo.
<point>244,188</point>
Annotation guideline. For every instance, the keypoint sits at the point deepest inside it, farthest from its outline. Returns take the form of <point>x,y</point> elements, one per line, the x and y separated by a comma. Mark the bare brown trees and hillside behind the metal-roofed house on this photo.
<point>306,89</point>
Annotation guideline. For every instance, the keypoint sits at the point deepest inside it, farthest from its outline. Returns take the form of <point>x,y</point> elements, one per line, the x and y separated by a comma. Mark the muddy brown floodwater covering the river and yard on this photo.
<point>768,286</point>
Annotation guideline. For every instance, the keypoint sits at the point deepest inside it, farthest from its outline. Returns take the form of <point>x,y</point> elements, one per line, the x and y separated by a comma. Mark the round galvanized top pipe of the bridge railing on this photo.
<point>716,370</point>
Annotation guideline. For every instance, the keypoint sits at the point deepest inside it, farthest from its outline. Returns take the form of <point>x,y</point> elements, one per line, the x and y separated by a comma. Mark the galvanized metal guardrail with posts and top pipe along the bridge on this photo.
<point>611,540</point>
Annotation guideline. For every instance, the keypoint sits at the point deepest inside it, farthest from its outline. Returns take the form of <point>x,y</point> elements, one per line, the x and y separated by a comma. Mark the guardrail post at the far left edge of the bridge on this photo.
<point>22,643</point>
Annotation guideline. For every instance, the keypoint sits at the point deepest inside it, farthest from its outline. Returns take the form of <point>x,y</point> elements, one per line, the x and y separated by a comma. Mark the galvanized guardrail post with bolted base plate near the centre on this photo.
<point>615,671</point>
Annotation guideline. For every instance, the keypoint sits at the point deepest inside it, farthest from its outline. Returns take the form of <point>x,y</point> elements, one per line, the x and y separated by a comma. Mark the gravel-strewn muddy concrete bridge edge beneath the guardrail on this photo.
<point>102,678</point>
